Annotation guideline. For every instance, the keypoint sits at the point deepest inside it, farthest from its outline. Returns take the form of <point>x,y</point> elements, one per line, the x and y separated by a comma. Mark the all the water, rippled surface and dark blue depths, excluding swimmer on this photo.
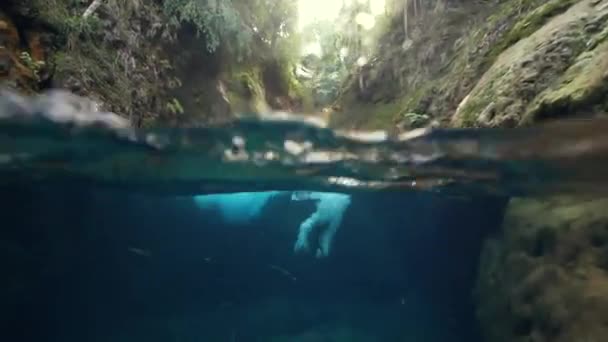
<point>102,241</point>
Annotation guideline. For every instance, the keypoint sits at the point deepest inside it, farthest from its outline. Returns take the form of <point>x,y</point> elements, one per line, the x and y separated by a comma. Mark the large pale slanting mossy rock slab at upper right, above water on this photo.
<point>558,69</point>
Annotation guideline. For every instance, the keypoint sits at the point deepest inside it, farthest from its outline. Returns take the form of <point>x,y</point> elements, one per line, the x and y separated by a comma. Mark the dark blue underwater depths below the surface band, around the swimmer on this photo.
<point>102,265</point>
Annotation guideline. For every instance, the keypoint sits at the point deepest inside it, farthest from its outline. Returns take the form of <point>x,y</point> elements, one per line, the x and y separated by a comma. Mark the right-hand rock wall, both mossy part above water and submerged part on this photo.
<point>506,63</point>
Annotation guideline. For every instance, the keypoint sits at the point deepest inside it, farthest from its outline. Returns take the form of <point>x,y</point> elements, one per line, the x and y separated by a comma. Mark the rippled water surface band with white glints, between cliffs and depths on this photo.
<point>58,137</point>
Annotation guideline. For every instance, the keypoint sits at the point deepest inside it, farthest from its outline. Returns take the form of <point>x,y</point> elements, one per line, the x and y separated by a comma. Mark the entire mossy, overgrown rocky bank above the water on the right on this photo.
<point>463,72</point>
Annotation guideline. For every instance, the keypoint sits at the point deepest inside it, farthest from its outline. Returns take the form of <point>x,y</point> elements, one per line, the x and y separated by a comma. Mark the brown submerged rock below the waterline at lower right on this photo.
<point>544,277</point>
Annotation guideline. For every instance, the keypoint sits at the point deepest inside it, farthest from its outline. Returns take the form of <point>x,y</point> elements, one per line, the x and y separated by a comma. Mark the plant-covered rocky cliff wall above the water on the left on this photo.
<point>135,61</point>
